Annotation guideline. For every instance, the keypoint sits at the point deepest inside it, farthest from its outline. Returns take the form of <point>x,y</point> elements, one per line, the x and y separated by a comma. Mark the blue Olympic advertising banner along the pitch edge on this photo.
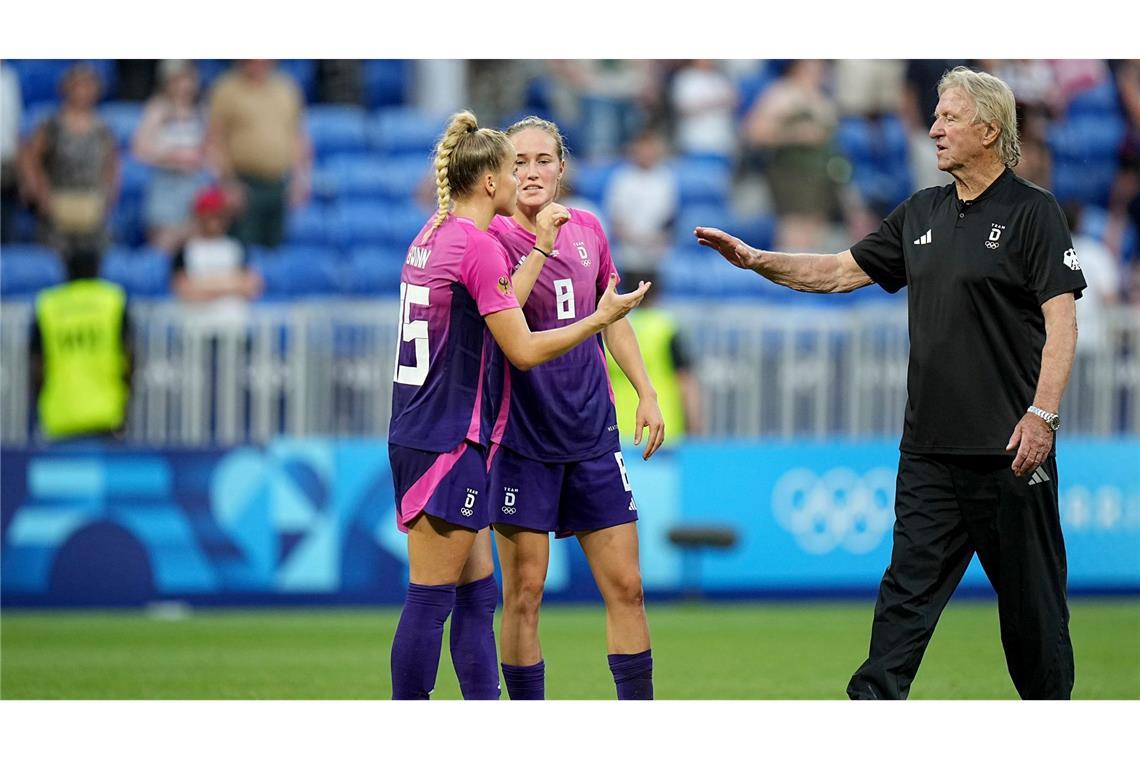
<point>313,521</point>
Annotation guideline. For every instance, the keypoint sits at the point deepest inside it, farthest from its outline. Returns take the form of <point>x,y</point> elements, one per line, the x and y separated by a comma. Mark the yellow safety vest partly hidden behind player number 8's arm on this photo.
<point>655,331</point>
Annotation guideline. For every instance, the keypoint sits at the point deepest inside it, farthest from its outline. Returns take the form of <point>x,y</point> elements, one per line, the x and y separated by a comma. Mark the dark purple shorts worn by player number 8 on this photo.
<point>565,499</point>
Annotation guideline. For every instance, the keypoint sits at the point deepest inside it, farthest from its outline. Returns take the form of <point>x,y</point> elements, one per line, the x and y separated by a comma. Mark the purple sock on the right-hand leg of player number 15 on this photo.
<point>474,640</point>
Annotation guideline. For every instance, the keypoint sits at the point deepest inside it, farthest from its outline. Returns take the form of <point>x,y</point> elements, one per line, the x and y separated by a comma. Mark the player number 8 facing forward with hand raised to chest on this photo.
<point>556,459</point>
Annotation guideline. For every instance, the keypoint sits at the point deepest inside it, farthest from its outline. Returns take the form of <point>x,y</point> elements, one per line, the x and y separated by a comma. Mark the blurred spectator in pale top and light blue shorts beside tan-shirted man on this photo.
<point>172,138</point>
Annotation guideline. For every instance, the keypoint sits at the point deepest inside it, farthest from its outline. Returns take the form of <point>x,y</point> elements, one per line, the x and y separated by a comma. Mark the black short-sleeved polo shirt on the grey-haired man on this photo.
<point>978,274</point>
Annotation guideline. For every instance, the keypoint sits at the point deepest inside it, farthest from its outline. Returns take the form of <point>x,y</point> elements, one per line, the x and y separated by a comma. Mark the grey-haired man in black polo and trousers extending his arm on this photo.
<point>992,281</point>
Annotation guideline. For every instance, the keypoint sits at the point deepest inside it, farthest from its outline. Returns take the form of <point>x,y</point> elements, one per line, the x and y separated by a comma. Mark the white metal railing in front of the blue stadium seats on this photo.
<point>324,369</point>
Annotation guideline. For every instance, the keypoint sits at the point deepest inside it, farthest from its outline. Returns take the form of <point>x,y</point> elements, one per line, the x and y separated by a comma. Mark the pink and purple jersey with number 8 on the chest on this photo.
<point>561,411</point>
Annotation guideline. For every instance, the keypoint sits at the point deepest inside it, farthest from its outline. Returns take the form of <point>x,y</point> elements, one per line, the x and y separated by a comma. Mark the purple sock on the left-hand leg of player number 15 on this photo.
<point>418,641</point>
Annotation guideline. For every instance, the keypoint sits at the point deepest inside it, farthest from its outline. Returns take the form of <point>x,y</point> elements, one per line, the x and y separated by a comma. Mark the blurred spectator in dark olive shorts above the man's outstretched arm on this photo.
<point>794,122</point>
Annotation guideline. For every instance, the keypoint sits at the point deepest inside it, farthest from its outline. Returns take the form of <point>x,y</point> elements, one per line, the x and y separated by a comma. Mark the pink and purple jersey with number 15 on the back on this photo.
<point>449,283</point>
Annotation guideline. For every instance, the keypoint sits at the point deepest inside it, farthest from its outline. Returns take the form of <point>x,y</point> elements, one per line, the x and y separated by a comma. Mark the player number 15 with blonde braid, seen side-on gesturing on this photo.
<point>455,280</point>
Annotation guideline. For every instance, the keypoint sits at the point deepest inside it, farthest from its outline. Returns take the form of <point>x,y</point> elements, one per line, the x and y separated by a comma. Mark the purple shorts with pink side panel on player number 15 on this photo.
<point>450,486</point>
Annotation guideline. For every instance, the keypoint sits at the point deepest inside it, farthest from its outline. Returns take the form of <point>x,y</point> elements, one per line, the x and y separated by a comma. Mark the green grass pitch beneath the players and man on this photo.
<point>701,652</point>
